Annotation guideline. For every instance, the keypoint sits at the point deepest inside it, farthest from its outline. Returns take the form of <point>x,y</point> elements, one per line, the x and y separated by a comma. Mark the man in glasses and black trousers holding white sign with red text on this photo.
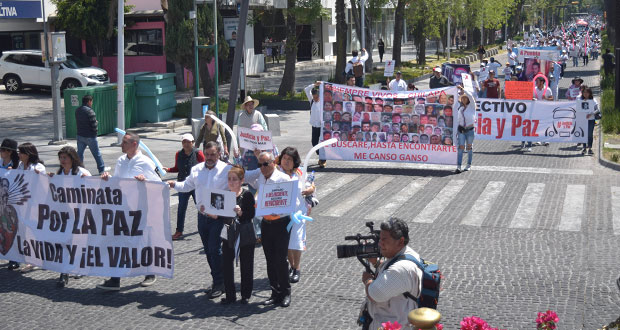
<point>275,237</point>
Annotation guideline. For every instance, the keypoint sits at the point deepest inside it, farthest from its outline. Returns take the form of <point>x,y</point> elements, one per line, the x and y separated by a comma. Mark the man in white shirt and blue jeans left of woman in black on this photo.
<point>212,174</point>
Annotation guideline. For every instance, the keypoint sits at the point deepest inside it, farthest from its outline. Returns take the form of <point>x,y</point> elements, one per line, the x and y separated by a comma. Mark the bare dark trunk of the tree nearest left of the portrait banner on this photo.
<point>287,85</point>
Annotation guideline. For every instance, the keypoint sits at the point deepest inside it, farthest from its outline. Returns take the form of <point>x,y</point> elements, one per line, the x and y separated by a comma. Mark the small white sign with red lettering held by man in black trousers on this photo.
<point>277,198</point>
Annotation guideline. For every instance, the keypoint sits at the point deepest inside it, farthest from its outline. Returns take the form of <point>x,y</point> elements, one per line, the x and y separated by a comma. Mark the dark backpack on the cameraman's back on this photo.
<point>431,281</point>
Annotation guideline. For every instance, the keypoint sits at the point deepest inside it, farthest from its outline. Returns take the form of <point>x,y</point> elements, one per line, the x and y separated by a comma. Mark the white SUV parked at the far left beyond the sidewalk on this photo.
<point>25,68</point>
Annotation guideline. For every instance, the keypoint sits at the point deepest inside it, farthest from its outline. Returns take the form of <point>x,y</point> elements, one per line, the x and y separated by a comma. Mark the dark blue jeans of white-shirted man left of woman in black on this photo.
<point>210,230</point>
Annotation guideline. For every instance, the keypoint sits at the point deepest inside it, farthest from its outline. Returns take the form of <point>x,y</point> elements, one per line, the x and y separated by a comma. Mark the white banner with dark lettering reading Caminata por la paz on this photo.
<point>86,226</point>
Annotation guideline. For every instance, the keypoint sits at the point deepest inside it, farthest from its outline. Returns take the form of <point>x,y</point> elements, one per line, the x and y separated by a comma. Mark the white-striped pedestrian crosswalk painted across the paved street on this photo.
<point>514,205</point>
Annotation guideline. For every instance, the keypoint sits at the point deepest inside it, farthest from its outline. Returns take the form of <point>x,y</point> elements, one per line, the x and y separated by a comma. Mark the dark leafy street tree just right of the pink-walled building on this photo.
<point>179,46</point>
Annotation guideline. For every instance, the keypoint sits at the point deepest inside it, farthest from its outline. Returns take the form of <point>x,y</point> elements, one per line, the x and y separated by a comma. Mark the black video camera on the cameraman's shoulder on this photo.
<point>366,247</point>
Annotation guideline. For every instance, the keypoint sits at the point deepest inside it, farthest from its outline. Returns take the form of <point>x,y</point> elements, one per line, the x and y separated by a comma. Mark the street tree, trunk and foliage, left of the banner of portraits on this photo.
<point>302,12</point>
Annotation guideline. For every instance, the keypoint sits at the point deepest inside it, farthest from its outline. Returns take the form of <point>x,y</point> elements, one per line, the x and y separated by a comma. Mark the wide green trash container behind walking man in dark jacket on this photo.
<point>104,105</point>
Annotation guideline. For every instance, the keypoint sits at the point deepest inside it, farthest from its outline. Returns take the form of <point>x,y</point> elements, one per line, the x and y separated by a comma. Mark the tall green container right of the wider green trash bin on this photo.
<point>155,97</point>
